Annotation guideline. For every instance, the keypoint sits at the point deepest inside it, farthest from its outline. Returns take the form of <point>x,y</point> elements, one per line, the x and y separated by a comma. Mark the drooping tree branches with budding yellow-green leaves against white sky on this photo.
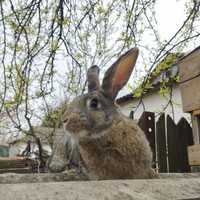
<point>47,46</point>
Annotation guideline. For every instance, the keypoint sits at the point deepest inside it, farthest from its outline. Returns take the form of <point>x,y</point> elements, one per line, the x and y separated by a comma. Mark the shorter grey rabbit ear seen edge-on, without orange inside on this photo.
<point>93,78</point>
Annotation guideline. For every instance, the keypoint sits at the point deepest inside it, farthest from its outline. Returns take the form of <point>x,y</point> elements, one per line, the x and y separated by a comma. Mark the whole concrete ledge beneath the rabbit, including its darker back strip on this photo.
<point>62,186</point>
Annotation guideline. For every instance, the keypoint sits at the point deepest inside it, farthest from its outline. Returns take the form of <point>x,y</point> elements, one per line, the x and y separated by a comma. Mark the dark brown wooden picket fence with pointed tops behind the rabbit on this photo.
<point>168,141</point>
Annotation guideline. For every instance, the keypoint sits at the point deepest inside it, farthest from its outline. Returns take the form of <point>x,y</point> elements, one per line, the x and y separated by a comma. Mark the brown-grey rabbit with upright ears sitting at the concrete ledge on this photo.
<point>110,145</point>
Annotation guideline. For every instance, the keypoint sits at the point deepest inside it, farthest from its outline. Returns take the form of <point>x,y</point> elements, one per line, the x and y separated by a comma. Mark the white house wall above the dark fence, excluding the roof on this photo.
<point>154,102</point>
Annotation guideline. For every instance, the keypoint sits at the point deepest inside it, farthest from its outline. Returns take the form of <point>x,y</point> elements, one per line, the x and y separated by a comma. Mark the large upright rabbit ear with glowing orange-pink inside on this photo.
<point>118,74</point>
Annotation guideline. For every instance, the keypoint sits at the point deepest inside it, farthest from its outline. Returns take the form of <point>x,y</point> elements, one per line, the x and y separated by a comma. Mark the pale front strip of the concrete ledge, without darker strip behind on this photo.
<point>157,189</point>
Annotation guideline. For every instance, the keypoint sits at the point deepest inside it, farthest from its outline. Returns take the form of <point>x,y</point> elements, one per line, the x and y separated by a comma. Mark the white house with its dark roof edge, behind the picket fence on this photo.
<point>153,101</point>
